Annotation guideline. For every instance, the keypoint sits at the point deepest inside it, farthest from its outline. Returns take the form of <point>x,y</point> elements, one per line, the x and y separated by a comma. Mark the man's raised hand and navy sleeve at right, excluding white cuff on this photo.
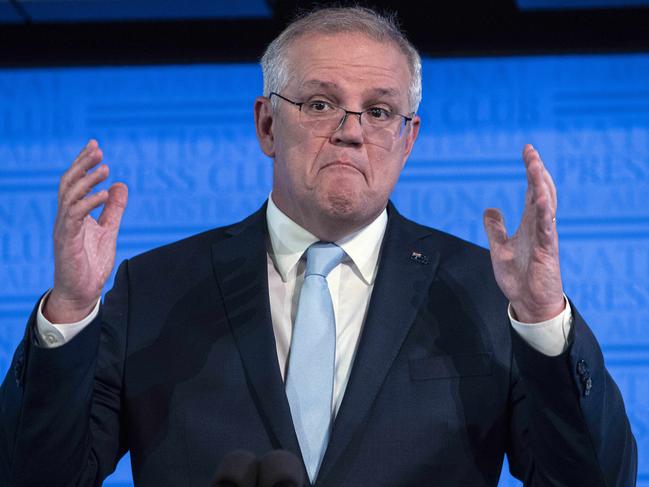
<point>568,423</point>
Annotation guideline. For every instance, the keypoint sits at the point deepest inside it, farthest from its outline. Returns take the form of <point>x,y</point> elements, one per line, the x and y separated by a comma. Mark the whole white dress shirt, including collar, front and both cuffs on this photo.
<point>350,284</point>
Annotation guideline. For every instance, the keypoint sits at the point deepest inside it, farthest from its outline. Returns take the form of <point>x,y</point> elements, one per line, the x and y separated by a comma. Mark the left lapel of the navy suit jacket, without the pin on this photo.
<point>240,265</point>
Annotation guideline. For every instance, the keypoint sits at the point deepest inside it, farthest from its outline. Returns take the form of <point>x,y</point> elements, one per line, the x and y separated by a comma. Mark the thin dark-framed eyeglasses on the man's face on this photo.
<point>322,118</point>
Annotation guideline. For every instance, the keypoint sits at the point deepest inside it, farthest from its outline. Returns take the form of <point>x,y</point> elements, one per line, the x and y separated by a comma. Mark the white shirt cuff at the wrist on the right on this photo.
<point>549,337</point>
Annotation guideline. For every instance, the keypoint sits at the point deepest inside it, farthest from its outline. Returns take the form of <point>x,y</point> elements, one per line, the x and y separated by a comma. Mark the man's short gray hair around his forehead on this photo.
<point>274,62</point>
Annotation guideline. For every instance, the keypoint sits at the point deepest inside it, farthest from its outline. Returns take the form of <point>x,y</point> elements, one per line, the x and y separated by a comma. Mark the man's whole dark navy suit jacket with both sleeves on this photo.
<point>180,367</point>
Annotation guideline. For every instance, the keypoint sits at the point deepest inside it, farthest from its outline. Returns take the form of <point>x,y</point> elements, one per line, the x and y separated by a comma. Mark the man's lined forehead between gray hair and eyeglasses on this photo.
<point>348,64</point>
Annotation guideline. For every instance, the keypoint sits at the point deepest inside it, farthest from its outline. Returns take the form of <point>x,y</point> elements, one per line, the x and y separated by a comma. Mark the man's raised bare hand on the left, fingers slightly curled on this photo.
<point>84,248</point>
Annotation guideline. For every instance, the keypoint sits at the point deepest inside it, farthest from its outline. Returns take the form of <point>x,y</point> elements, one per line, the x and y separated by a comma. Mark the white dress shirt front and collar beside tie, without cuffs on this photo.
<point>350,284</point>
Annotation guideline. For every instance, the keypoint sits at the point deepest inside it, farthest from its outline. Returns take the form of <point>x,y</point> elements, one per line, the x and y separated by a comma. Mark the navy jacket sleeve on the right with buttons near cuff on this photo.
<point>569,426</point>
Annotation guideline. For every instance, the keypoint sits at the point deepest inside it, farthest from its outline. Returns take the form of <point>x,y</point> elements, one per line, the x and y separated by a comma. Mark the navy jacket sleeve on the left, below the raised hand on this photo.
<point>60,421</point>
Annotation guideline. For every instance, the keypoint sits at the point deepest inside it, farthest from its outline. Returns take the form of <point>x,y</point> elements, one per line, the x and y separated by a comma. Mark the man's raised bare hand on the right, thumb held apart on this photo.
<point>526,265</point>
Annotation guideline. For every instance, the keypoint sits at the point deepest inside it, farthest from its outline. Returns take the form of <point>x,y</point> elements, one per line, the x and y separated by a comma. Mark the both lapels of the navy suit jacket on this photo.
<point>240,265</point>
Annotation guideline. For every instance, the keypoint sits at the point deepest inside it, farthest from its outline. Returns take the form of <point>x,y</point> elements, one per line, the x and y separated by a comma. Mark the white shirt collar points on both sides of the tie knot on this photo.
<point>289,241</point>
